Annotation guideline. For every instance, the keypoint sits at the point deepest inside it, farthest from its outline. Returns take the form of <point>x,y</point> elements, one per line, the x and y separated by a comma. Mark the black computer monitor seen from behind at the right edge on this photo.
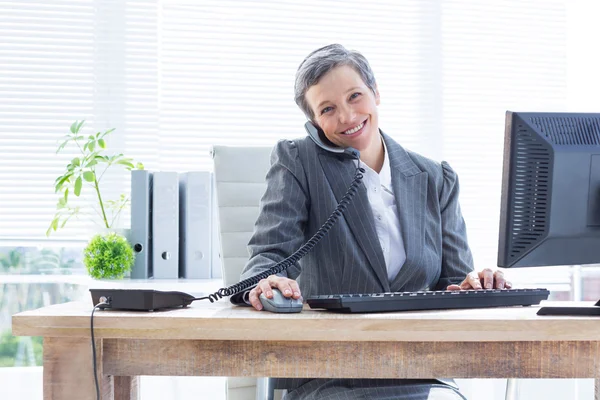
<point>550,206</point>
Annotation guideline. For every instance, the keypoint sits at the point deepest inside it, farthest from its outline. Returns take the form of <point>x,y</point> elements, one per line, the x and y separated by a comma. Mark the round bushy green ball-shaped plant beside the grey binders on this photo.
<point>108,256</point>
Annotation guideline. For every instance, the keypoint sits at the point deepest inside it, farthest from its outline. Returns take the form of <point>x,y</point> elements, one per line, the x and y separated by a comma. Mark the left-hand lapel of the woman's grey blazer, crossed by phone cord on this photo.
<point>358,214</point>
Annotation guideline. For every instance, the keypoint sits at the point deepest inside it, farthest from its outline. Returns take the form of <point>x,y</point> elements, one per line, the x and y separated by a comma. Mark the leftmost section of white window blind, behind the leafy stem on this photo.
<point>46,82</point>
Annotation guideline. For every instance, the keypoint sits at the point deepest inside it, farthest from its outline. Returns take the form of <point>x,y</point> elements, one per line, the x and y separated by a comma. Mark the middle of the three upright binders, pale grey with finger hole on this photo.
<point>165,225</point>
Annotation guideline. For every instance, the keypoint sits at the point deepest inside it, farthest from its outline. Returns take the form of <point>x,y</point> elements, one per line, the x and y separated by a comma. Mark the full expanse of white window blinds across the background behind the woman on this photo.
<point>174,77</point>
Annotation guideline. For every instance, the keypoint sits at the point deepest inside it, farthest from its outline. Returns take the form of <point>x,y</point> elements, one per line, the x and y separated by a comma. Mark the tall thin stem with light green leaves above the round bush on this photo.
<point>87,170</point>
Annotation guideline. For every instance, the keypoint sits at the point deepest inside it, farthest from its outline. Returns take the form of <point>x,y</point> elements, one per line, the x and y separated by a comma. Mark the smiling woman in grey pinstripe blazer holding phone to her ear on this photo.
<point>399,234</point>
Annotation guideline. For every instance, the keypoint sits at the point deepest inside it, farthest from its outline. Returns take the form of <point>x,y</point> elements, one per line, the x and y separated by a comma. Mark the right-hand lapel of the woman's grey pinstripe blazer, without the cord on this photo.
<point>410,189</point>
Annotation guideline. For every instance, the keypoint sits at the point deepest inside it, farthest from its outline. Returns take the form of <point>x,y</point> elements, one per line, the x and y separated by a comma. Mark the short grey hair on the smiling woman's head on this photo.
<point>323,60</point>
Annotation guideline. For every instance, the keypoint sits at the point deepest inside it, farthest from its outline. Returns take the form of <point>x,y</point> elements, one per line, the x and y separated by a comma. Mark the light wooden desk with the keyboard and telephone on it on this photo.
<point>221,340</point>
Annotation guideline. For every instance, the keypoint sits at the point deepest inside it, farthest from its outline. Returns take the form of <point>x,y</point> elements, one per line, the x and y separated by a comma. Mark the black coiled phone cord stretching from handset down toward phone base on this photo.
<point>298,254</point>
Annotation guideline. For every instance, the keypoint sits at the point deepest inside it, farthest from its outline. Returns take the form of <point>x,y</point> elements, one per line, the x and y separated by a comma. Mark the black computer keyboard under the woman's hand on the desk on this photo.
<point>427,300</point>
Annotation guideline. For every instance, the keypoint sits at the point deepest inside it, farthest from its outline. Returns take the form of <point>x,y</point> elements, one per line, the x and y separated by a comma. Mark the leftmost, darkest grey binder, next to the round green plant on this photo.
<point>141,223</point>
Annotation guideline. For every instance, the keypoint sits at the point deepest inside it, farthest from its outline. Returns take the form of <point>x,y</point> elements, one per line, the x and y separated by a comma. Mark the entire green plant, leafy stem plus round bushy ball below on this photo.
<point>108,254</point>
